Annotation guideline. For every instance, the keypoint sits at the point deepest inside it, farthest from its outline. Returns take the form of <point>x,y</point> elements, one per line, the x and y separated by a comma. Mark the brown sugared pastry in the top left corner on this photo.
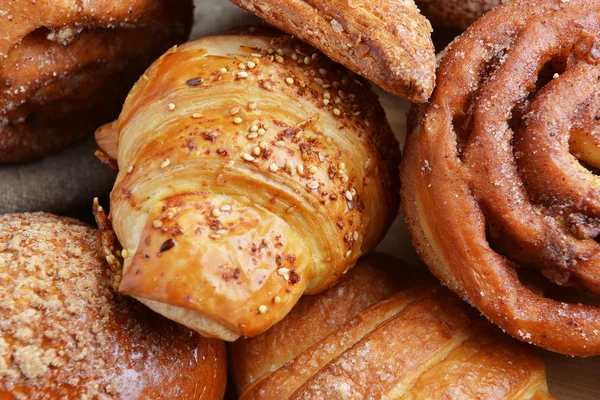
<point>66,66</point>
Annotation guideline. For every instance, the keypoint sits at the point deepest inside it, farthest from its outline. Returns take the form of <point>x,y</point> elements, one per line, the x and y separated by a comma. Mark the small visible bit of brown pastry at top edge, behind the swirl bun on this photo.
<point>456,13</point>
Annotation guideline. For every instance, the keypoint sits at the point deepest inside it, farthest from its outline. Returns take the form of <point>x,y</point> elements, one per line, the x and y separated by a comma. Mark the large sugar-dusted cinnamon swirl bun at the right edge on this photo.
<point>498,175</point>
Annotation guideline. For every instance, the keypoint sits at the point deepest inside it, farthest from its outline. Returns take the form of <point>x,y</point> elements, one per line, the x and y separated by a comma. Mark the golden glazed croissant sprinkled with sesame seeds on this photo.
<point>246,179</point>
